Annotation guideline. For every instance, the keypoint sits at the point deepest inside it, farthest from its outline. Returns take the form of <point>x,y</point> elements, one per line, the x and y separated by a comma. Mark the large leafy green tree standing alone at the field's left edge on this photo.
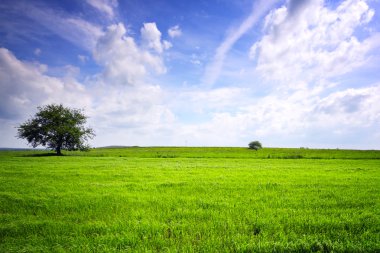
<point>57,128</point>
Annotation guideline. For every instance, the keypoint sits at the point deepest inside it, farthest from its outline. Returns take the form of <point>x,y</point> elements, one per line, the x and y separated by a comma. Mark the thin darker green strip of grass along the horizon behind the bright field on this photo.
<point>213,152</point>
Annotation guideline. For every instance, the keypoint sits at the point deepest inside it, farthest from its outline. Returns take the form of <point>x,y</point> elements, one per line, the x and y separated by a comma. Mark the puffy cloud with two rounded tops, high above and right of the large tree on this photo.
<point>126,62</point>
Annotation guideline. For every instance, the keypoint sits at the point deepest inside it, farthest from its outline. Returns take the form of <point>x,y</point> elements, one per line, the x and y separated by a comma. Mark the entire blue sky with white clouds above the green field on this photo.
<point>198,73</point>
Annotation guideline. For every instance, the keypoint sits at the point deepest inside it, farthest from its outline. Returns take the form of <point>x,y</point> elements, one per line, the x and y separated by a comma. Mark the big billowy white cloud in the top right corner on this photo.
<point>308,42</point>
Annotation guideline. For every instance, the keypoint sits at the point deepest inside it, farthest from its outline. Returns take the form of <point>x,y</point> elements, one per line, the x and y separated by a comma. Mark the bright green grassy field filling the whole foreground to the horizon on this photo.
<point>190,200</point>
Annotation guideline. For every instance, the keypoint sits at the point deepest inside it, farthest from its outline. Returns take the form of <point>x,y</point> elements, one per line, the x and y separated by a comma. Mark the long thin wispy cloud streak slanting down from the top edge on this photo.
<point>214,68</point>
